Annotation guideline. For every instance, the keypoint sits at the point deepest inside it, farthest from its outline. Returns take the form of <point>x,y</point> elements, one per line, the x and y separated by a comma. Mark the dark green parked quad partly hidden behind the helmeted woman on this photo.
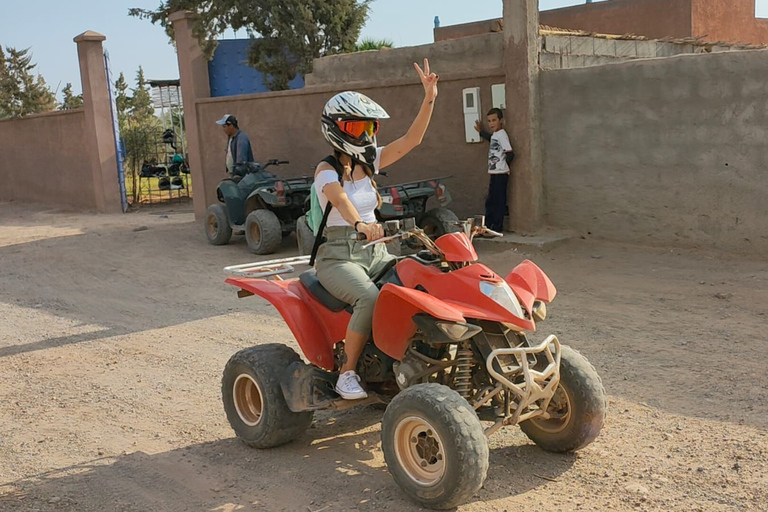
<point>405,200</point>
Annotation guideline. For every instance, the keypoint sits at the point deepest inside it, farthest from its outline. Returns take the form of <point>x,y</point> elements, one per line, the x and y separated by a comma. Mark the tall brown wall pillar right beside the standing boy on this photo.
<point>521,66</point>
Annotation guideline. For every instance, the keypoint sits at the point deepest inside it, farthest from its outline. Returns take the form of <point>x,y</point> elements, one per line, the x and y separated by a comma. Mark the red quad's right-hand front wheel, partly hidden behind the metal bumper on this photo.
<point>577,410</point>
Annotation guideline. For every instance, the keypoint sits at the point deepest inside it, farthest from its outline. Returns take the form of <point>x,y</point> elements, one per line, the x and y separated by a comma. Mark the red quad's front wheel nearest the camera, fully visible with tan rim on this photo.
<point>434,446</point>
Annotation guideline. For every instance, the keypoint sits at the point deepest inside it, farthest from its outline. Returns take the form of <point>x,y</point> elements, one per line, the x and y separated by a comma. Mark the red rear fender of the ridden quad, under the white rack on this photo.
<point>299,318</point>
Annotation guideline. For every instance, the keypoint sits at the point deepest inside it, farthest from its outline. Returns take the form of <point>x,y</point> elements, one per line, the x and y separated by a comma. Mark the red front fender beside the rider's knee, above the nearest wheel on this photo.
<point>393,326</point>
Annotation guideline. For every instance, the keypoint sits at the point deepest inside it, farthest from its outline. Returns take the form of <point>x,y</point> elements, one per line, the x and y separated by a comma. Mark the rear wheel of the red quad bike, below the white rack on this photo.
<point>254,401</point>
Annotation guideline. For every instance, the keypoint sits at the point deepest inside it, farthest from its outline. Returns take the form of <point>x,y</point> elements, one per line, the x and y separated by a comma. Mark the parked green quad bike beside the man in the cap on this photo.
<point>258,204</point>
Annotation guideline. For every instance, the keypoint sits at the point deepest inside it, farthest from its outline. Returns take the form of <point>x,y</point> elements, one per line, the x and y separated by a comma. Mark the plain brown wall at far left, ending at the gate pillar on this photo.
<point>43,160</point>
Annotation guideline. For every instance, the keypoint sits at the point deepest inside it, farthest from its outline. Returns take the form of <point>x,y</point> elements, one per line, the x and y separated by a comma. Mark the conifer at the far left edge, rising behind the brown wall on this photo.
<point>21,92</point>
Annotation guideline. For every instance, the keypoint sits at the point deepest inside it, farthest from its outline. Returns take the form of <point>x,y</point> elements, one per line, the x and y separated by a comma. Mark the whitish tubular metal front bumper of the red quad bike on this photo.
<point>537,389</point>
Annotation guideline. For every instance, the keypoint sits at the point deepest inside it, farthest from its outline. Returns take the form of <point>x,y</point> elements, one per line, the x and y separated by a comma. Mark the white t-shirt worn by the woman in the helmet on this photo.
<point>361,193</point>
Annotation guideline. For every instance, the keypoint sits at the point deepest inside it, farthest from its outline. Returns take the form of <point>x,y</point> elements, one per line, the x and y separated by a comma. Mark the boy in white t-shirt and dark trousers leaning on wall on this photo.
<point>500,156</point>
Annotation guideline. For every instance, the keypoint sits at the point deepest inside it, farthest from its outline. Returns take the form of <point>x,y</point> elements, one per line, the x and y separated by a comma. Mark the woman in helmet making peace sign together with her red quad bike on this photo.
<point>448,346</point>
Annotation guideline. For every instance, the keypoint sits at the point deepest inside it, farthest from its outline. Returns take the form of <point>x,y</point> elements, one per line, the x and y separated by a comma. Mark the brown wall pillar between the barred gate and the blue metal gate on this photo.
<point>193,75</point>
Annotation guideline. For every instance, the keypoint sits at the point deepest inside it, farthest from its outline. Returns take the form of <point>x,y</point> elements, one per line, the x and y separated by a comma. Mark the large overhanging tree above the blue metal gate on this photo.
<point>292,32</point>
